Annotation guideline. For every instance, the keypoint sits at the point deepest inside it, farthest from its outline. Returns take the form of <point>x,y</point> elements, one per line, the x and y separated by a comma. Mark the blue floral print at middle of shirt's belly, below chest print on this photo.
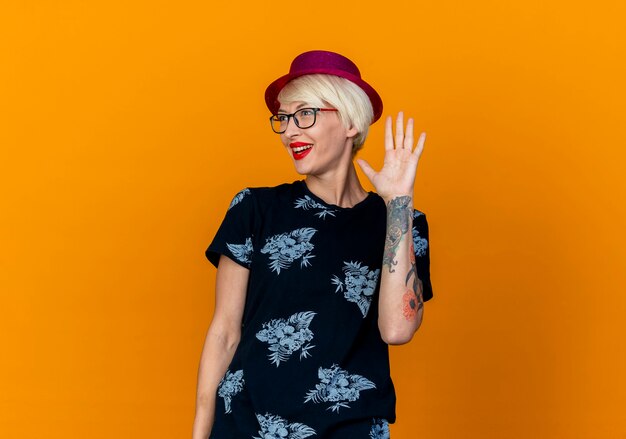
<point>287,336</point>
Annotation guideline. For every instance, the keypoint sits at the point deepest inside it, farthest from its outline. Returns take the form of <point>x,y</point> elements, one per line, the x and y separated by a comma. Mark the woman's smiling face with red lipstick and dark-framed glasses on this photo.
<point>321,149</point>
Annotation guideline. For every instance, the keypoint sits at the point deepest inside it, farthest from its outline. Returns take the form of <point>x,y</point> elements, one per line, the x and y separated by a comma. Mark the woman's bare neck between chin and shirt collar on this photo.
<point>341,189</point>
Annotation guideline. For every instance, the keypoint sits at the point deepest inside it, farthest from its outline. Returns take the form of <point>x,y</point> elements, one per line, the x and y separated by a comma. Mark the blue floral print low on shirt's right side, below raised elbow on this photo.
<point>338,386</point>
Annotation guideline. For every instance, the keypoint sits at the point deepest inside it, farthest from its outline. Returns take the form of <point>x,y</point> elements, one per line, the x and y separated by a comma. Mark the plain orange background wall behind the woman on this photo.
<point>126,128</point>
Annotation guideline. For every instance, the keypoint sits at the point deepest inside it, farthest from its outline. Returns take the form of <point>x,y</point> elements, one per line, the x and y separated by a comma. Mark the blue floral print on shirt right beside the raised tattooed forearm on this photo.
<point>358,285</point>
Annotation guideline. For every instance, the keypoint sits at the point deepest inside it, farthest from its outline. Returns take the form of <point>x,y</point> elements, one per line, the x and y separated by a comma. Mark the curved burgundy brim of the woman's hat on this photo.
<point>272,91</point>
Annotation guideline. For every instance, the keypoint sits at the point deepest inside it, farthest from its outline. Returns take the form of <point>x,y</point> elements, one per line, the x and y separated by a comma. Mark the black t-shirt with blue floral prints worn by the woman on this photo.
<point>311,359</point>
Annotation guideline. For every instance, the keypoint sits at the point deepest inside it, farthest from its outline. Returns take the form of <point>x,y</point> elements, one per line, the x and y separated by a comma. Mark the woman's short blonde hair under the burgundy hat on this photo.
<point>321,90</point>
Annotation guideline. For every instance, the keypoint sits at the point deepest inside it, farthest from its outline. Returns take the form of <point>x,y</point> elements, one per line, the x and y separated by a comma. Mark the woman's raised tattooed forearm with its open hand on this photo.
<point>401,303</point>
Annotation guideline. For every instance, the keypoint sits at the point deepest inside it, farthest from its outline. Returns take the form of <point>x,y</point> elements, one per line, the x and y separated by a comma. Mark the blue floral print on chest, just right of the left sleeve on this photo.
<point>285,248</point>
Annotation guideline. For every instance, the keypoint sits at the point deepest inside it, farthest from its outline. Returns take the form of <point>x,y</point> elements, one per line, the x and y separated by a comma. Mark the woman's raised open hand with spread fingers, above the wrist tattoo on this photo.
<point>397,177</point>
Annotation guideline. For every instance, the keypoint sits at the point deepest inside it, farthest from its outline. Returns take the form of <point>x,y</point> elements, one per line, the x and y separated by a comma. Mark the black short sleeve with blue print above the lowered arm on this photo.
<point>235,236</point>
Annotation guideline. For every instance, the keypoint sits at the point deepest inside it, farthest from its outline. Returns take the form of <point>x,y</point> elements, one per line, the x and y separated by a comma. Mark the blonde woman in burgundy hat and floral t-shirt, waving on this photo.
<point>315,278</point>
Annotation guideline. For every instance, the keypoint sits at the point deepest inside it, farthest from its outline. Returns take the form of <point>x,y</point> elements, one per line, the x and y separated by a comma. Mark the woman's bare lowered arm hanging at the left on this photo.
<point>221,340</point>
